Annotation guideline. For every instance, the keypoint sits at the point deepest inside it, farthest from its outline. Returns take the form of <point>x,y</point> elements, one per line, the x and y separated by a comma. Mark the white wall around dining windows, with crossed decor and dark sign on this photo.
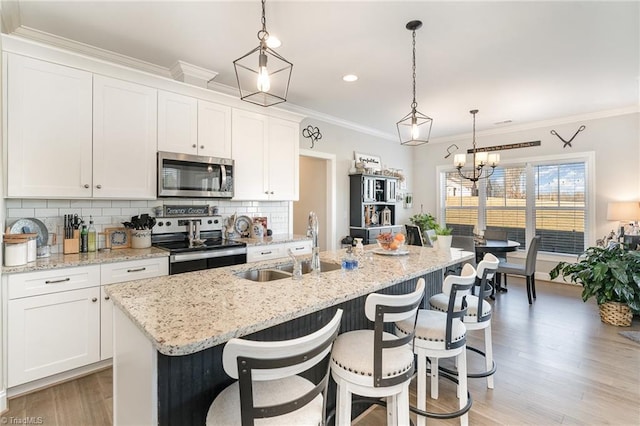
<point>615,141</point>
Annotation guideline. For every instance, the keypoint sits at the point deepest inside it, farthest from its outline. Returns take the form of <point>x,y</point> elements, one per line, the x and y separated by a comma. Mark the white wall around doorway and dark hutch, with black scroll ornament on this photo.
<point>343,142</point>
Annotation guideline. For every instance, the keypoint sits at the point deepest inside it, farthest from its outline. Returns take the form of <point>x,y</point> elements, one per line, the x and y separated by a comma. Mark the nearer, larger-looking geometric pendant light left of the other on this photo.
<point>263,75</point>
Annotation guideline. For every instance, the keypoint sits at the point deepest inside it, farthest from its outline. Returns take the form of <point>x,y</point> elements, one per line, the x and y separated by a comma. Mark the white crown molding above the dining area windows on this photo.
<point>632,109</point>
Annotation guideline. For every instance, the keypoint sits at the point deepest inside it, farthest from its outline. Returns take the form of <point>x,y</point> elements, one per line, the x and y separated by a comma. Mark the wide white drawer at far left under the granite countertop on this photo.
<point>52,281</point>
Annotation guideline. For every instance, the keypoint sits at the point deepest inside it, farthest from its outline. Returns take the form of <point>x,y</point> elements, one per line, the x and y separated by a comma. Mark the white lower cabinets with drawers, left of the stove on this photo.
<point>61,319</point>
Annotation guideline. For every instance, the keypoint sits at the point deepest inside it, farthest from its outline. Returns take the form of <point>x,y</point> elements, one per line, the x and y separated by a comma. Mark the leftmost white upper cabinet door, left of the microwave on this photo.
<point>49,129</point>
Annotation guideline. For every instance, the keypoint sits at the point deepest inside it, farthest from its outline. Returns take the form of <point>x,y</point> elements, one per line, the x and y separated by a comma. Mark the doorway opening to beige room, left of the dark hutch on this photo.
<point>318,194</point>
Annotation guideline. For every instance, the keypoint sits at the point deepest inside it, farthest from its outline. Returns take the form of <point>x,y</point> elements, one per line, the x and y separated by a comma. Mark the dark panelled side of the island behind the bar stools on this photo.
<point>188,384</point>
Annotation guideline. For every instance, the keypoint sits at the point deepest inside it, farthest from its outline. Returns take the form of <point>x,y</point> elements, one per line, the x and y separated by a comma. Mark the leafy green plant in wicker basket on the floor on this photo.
<point>612,276</point>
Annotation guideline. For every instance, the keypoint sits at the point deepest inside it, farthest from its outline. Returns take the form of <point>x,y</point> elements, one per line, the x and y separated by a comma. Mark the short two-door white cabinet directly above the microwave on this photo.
<point>193,126</point>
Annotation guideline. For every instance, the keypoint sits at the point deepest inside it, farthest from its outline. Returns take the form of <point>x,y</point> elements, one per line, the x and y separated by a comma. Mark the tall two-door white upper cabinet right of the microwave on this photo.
<point>265,151</point>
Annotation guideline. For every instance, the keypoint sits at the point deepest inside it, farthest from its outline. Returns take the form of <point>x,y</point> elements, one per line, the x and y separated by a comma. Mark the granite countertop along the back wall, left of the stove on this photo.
<point>60,260</point>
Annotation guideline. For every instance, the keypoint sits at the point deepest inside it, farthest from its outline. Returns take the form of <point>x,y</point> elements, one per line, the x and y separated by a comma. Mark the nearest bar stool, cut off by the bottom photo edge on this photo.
<point>269,387</point>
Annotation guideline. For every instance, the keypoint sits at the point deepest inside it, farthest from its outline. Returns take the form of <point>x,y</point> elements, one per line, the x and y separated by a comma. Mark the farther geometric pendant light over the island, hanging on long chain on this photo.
<point>415,128</point>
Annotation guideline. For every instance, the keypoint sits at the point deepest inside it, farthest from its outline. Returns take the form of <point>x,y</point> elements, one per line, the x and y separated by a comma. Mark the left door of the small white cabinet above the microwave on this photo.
<point>177,123</point>
